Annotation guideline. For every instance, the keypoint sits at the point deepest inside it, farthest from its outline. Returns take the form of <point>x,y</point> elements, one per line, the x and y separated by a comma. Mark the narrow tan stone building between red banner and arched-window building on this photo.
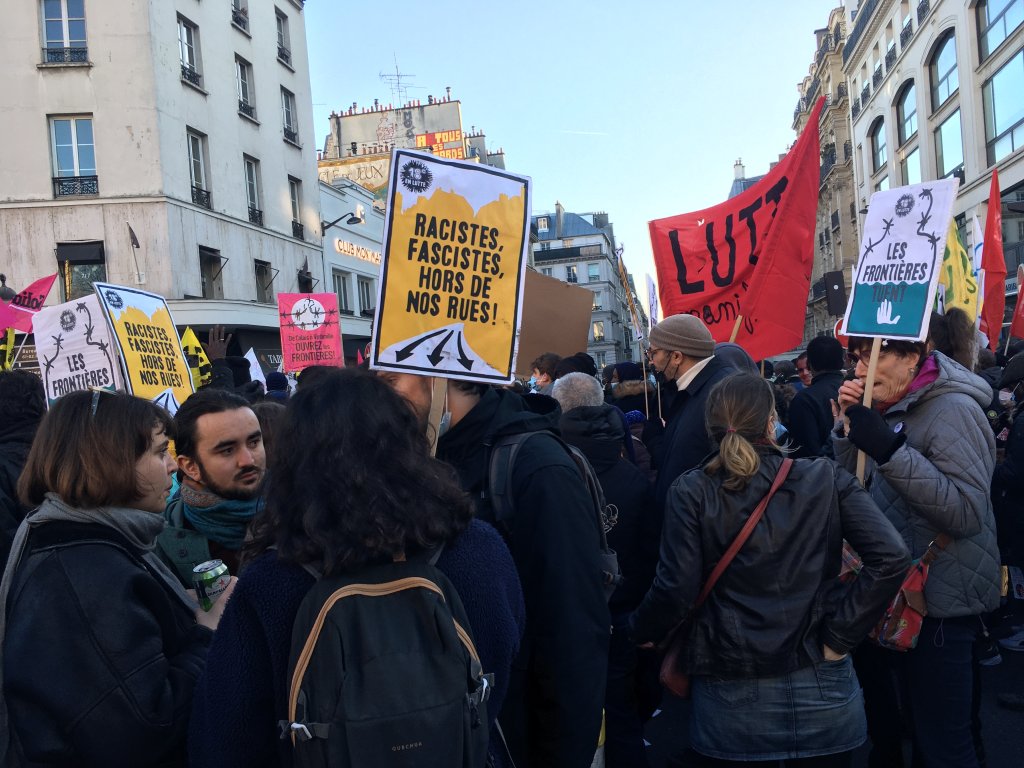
<point>836,228</point>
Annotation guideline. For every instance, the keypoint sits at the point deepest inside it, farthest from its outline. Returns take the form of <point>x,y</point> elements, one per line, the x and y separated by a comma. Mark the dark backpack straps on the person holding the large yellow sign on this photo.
<point>502,463</point>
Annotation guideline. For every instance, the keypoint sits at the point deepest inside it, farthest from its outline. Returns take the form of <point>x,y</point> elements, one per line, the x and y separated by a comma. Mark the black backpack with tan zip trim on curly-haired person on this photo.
<point>385,673</point>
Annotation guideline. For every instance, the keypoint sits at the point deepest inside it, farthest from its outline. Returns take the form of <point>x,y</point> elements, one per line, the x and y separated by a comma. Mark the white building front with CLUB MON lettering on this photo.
<point>353,236</point>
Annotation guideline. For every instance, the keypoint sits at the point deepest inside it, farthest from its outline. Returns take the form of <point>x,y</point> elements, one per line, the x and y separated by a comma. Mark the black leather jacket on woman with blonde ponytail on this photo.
<point>781,600</point>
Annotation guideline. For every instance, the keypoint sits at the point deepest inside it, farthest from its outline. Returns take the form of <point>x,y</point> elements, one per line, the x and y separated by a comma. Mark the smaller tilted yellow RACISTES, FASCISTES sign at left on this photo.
<point>155,366</point>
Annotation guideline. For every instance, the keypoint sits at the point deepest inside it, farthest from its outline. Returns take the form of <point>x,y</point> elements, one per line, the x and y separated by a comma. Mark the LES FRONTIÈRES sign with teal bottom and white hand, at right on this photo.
<point>902,252</point>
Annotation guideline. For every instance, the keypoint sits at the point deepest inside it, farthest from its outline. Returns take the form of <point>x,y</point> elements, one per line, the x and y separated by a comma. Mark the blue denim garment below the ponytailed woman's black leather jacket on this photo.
<point>807,713</point>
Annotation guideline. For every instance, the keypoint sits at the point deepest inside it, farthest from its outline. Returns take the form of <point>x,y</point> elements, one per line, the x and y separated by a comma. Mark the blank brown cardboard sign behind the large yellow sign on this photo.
<point>557,319</point>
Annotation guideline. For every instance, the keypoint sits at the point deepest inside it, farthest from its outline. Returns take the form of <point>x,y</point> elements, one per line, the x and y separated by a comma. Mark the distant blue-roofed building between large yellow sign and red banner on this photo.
<point>580,249</point>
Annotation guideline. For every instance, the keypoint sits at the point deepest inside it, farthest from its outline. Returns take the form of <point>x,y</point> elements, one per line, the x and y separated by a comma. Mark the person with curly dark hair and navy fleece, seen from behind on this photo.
<point>352,485</point>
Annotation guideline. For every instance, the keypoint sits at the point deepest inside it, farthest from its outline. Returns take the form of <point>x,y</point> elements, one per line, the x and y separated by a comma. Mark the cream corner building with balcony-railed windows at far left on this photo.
<point>167,146</point>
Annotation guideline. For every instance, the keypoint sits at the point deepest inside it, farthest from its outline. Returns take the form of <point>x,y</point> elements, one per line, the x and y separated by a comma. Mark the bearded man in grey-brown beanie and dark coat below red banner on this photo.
<point>682,352</point>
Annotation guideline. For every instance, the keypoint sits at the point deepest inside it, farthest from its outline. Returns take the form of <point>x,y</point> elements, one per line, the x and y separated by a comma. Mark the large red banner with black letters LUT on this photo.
<point>750,257</point>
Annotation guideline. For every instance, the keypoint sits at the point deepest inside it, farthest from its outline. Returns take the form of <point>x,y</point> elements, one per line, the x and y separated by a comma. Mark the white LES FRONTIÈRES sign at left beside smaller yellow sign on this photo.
<point>75,349</point>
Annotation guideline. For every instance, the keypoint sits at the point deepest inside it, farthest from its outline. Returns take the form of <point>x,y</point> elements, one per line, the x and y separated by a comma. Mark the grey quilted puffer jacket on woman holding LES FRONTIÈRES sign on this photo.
<point>938,482</point>
